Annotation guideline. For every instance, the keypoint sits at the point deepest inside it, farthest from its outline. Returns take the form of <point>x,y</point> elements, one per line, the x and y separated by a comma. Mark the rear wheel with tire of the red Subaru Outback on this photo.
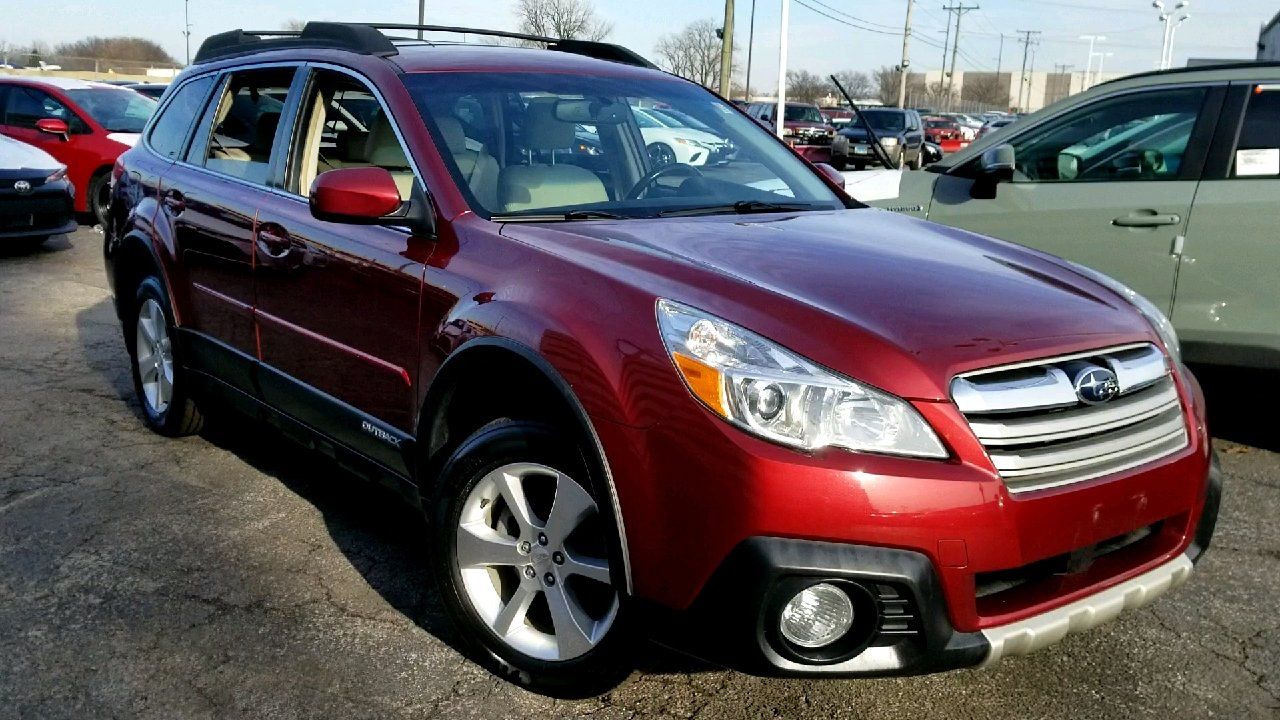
<point>158,379</point>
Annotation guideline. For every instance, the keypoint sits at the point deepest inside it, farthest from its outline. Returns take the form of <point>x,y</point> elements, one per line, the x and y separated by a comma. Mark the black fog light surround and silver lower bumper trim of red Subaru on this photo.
<point>904,627</point>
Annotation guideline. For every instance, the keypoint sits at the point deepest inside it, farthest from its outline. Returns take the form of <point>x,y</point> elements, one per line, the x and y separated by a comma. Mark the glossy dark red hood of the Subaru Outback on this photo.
<point>834,285</point>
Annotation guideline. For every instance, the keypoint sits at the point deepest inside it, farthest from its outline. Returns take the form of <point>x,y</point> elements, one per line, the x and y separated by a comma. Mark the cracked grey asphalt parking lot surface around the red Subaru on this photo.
<point>234,575</point>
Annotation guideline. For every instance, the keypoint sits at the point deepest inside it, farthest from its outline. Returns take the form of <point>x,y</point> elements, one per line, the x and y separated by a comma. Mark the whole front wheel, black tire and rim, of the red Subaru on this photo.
<point>524,562</point>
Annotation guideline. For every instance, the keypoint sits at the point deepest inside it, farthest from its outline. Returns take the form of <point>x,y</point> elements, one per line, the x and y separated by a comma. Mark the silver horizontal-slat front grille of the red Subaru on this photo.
<point>1040,435</point>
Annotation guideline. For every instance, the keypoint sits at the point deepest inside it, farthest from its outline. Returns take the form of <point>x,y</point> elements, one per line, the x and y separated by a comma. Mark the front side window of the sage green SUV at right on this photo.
<point>1137,136</point>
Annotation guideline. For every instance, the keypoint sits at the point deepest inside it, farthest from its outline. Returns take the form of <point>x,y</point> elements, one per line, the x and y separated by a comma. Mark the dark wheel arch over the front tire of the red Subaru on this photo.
<point>493,377</point>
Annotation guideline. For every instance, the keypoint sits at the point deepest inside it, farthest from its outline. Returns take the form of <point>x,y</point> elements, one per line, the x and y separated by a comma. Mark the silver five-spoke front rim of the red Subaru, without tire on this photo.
<point>533,559</point>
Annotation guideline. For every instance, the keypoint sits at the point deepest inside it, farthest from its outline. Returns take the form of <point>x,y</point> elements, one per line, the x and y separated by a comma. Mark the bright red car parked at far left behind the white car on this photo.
<point>84,125</point>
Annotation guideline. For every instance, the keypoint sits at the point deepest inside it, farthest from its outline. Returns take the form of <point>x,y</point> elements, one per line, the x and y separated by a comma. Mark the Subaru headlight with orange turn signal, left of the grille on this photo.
<point>780,397</point>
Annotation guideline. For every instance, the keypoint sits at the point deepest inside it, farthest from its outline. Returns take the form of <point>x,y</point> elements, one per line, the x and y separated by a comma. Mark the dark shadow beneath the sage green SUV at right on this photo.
<point>1236,399</point>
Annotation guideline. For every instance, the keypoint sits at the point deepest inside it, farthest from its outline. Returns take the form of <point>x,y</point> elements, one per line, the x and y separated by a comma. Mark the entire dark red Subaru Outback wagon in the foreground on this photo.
<point>728,404</point>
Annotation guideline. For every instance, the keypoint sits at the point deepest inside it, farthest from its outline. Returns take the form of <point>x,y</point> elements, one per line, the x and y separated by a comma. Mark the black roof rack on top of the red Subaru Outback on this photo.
<point>369,39</point>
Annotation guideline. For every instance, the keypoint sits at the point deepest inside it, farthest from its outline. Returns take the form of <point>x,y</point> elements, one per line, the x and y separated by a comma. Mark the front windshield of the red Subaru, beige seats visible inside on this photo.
<point>559,147</point>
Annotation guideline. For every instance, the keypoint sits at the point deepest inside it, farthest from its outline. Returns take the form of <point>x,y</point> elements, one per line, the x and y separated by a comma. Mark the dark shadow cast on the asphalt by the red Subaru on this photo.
<point>383,537</point>
